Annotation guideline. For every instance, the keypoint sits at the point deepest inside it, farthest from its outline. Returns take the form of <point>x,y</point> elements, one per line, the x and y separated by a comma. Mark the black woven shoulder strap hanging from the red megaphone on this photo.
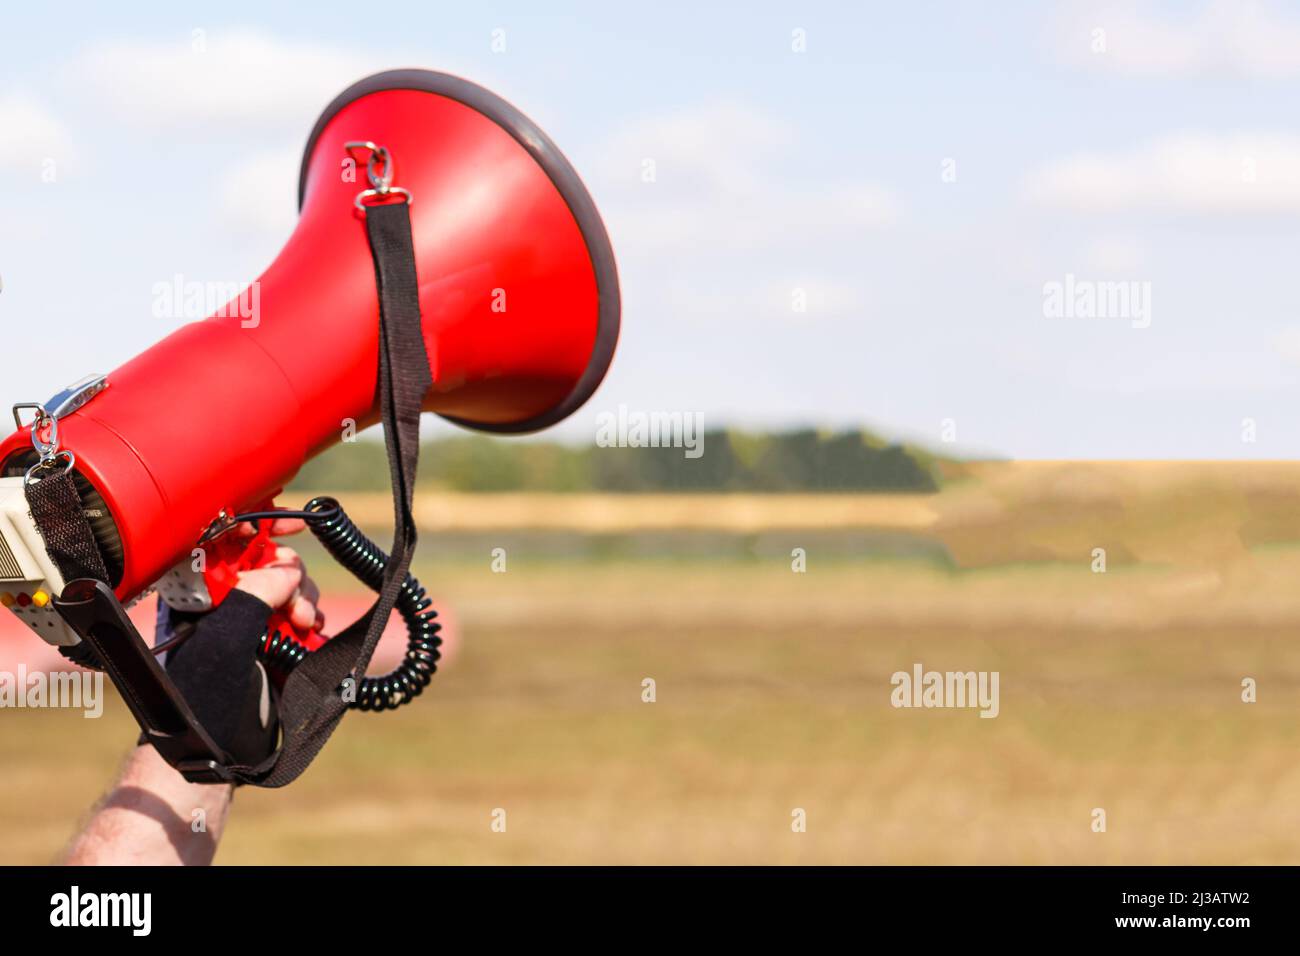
<point>313,702</point>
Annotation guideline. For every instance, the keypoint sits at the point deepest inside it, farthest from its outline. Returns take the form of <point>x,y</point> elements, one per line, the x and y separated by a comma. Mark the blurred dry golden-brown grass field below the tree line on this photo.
<point>1119,690</point>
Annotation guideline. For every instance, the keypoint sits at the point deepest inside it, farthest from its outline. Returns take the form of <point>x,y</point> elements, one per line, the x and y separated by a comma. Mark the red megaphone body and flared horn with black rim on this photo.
<point>519,300</point>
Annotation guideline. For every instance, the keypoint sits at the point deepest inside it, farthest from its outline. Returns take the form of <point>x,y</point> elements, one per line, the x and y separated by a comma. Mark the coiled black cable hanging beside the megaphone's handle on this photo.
<point>353,550</point>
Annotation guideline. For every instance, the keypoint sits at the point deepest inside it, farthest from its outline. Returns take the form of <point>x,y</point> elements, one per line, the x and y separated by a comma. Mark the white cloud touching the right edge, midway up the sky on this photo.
<point>1182,174</point>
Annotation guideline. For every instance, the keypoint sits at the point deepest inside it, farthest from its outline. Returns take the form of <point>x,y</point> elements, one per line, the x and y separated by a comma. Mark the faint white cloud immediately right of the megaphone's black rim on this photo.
<point>718,187</point>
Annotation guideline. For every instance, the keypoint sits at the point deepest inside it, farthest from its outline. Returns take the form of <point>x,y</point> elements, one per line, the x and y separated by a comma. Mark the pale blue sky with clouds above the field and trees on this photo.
<point>1163,152</point>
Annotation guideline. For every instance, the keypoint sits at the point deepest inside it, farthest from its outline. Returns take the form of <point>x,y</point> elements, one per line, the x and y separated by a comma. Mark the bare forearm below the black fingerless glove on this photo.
<point>154,817</point>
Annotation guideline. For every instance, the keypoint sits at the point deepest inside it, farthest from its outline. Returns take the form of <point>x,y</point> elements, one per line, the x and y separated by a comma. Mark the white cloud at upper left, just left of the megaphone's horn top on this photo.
<point>240,79</point>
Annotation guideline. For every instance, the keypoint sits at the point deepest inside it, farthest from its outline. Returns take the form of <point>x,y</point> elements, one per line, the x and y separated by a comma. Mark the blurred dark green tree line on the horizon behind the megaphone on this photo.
<point>796,461</point>
